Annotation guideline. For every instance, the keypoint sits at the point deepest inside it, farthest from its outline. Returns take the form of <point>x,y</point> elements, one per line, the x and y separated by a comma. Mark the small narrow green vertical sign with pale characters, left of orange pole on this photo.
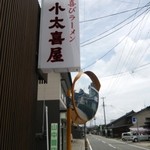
<point>54,136</point>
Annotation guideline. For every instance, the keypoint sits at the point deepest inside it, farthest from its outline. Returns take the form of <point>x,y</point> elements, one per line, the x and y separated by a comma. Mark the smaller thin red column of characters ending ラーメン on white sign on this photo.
<point>72,9</point>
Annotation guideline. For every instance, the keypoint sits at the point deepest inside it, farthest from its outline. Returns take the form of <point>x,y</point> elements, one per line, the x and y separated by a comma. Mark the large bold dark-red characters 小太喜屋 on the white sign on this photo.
<point>56,37</point>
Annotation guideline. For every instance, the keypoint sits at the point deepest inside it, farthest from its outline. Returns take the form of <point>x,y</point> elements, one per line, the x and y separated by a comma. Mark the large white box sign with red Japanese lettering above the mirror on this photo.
<point>59,36</point>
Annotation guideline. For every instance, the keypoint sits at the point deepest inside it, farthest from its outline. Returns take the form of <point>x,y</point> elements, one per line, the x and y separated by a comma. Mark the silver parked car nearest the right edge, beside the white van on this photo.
<point>140,137</point>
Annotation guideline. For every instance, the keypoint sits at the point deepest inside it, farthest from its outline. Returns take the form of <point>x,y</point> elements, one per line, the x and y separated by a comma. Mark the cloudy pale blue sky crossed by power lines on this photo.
<point>115,46</point>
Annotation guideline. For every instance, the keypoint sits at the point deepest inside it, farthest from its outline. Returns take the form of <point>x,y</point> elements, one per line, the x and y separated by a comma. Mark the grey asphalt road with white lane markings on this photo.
<point>101,143</point>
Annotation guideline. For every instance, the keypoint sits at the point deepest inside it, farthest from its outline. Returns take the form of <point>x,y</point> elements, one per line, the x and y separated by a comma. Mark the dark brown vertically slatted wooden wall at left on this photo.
<point>19,23</point>
